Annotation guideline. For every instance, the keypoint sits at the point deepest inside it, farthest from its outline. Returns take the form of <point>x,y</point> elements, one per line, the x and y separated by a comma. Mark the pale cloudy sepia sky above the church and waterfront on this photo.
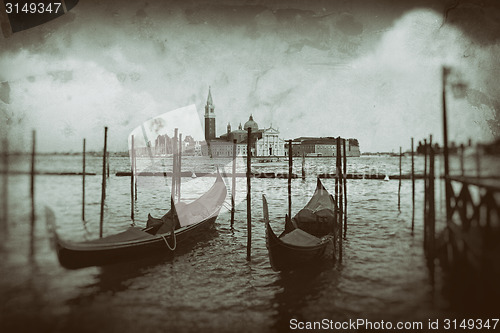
<point>369,70</point>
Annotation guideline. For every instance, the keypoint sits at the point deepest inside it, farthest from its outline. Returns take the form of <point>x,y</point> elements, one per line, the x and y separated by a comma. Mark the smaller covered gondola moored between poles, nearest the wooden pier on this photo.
<point>296,247</point>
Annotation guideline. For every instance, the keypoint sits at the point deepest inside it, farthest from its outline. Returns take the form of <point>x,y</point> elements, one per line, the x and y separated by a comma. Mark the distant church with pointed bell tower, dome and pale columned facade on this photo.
<point>264,142</point>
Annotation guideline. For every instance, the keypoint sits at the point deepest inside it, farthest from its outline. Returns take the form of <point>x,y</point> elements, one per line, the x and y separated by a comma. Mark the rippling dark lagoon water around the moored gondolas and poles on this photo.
<point>210,286</point>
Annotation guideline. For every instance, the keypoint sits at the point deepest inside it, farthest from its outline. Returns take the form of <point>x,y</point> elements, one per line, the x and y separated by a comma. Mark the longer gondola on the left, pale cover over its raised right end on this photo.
<point>182,222</point>
